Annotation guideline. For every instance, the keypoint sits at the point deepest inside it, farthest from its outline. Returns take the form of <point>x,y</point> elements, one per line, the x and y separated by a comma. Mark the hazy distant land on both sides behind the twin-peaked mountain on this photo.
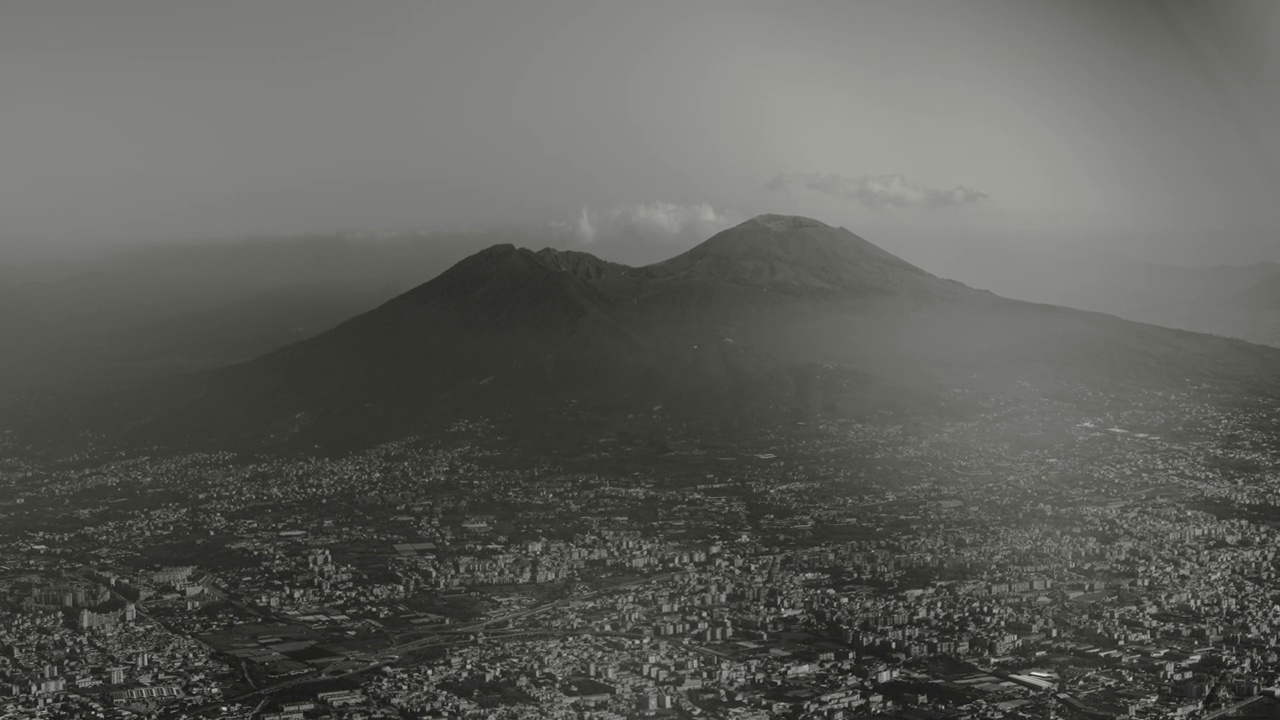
<point>171,309</point>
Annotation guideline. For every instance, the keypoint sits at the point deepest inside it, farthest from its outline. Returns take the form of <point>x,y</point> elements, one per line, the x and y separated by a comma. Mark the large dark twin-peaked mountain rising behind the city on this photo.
<point>776,316</point>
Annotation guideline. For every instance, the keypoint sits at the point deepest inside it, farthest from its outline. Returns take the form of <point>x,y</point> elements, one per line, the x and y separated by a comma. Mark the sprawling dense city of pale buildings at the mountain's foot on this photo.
<point>1021,560</point>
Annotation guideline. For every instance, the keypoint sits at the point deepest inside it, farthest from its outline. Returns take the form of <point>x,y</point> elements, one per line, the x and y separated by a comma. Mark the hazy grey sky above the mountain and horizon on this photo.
<point>1150,127</point>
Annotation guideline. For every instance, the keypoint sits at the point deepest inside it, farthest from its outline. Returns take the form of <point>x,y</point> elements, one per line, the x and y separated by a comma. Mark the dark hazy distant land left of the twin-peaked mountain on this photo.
<point>168,309</point>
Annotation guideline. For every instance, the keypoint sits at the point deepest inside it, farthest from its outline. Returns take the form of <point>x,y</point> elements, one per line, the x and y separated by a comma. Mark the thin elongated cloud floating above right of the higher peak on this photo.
<point>879,192</point>
